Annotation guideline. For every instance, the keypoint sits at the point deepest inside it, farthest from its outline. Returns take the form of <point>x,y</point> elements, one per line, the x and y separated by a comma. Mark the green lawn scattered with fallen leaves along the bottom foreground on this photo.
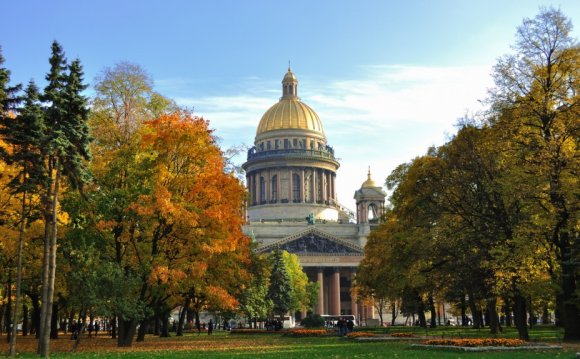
<point>223,345</point>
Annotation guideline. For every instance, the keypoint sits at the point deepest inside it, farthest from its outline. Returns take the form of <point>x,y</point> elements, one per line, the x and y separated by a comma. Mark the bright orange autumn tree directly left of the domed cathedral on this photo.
<point>193,213</point>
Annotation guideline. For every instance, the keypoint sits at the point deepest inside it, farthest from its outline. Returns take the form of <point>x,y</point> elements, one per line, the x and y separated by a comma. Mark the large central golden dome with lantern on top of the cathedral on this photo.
<point>290,112</point>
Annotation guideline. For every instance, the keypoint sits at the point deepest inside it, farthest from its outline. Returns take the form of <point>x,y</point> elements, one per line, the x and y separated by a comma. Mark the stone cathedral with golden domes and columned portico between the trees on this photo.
<point>291,180</point>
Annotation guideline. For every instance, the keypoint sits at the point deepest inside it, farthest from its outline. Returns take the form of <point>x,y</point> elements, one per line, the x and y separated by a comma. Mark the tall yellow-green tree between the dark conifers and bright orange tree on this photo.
<point>123,102</point>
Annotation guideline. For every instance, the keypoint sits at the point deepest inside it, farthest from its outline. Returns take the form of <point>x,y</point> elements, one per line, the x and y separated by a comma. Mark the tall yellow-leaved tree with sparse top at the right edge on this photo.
<point>536,102</point>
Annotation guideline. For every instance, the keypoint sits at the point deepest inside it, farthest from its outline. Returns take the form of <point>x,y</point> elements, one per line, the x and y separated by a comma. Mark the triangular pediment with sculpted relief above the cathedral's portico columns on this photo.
<point>315,243</point>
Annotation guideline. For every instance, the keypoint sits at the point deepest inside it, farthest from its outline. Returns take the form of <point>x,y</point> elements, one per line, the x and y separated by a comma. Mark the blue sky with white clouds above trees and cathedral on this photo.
<point>388,78</point>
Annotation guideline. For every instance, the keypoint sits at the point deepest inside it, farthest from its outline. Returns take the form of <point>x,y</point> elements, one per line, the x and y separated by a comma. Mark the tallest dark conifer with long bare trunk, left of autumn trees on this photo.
<point>66,148</point>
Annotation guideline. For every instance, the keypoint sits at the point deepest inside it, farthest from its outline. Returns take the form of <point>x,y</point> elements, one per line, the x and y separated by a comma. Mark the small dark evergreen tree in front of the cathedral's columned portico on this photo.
<point>280,291</point>
